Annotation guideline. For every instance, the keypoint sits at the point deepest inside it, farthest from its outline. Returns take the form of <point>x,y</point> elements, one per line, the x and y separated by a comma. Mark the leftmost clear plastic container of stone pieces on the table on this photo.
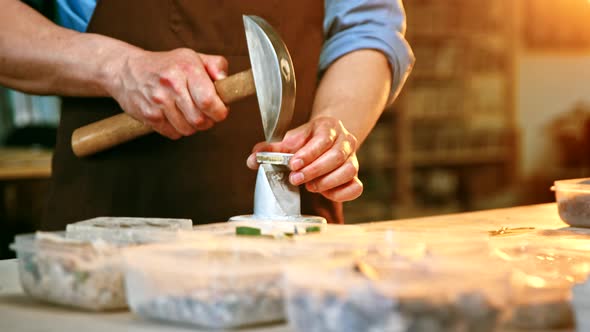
<point>70,272</point>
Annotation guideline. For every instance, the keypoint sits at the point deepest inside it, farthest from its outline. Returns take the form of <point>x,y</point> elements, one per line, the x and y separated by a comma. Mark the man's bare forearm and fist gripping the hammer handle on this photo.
<point>173,91</point>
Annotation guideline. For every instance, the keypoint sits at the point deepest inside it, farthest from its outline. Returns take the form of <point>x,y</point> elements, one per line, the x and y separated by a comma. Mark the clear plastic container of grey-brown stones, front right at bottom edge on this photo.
<point>400,296</point>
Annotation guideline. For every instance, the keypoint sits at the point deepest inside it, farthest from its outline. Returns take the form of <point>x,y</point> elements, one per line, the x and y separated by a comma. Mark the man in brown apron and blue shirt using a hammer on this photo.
<point>157,61</point>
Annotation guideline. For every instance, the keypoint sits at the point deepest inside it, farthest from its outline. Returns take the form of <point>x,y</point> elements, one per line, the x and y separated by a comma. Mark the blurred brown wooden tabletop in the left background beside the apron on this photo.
<point>17,164</point>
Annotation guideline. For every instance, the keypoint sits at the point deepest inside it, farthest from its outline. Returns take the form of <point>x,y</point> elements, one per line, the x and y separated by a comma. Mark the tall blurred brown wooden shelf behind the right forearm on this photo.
<point>451,144</point>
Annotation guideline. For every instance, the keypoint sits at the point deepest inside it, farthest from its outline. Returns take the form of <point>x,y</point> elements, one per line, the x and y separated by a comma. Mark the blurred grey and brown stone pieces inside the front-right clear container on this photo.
<point>367,309</point>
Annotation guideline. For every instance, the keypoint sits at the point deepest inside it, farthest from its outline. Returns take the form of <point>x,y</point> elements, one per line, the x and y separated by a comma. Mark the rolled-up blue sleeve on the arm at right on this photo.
<point>351,25</point>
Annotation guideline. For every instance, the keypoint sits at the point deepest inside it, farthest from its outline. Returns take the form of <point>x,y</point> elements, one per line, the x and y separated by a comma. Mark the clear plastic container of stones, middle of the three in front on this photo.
<point>214,284</point>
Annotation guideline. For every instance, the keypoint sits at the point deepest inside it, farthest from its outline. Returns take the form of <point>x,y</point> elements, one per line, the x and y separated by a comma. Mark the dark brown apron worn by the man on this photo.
<point>203,177</point>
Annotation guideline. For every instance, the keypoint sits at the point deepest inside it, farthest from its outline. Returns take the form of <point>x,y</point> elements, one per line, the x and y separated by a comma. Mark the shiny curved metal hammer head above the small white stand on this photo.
<point>274,76</point>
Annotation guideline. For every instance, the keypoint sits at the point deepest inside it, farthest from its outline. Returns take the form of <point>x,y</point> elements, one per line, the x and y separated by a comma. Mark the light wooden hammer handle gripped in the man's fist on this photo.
<point>105,134</point>
